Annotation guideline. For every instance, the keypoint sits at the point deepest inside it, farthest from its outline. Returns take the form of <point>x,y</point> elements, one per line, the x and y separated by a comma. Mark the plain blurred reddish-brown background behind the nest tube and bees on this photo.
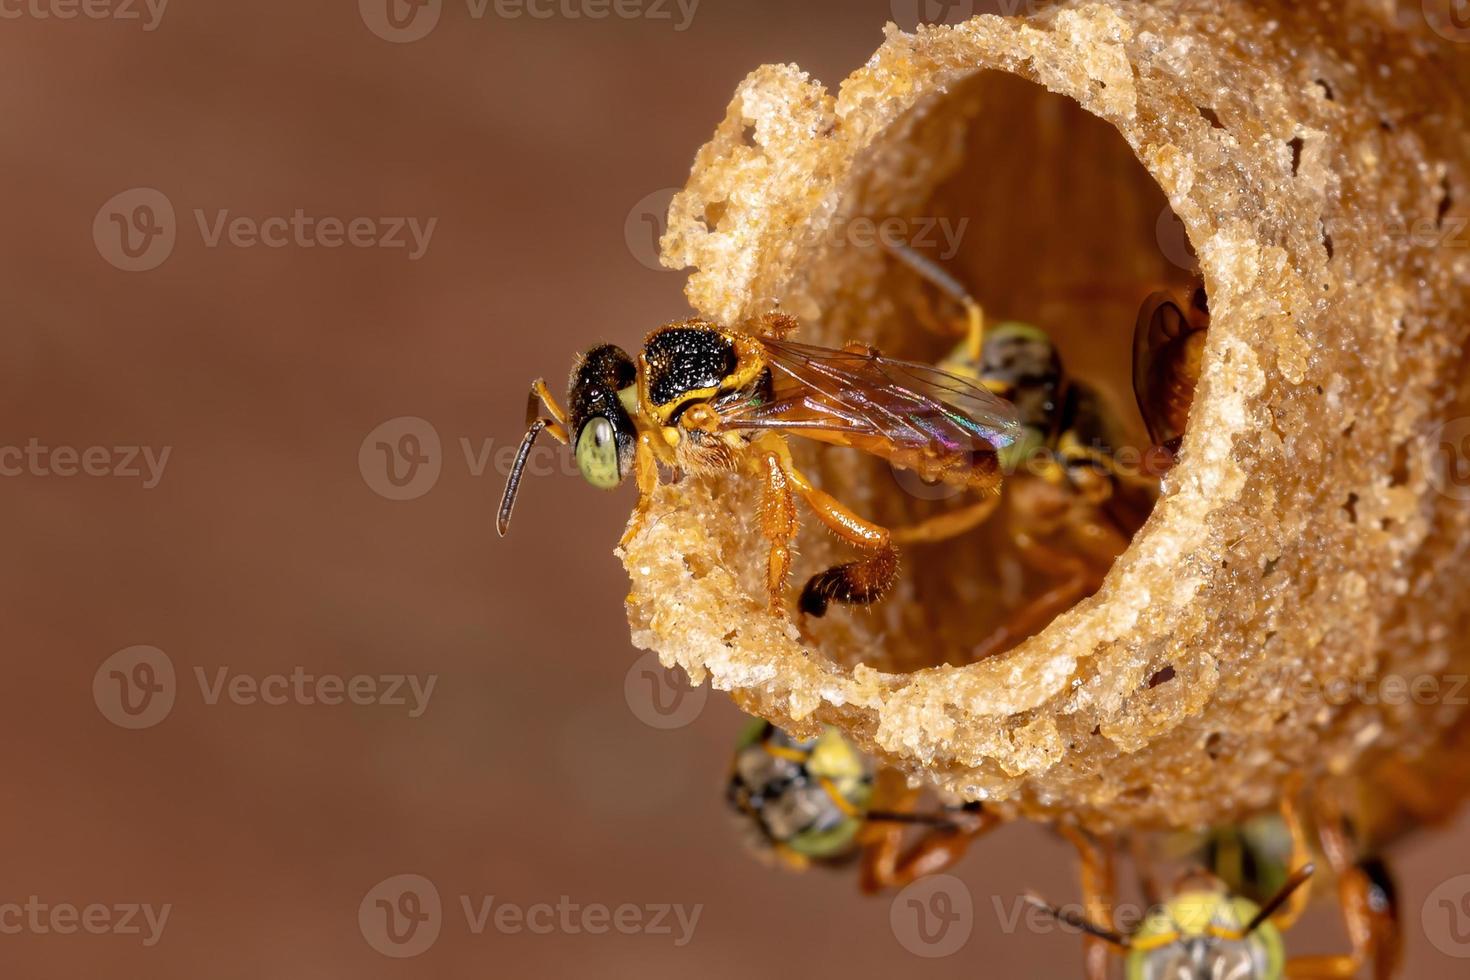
<point>270,544</point>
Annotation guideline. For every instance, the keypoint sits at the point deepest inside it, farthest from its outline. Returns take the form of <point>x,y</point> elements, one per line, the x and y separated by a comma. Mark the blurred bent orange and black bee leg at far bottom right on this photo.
<point>1369,903</point>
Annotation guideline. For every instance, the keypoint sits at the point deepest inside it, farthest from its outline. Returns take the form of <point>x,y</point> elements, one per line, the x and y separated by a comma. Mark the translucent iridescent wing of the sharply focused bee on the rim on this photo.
<point>914,406</point>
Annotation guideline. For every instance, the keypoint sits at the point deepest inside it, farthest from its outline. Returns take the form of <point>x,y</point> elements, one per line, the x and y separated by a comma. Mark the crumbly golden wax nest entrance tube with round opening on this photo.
<point>1308,549</point>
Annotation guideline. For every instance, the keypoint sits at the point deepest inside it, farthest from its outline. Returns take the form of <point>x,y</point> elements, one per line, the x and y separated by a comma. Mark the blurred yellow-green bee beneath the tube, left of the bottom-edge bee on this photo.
<point>820,801</point>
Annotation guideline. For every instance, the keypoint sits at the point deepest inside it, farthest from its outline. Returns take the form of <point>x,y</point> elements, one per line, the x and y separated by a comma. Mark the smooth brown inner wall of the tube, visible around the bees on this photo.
<point>1046,215</point>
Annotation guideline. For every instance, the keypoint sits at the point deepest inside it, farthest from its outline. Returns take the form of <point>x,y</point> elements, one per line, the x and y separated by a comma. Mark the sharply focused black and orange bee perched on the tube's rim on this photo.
<point>703,399</point>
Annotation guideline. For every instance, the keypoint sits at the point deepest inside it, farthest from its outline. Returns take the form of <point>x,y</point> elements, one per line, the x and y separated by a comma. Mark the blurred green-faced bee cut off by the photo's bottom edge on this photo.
<point>1208,929</point>
